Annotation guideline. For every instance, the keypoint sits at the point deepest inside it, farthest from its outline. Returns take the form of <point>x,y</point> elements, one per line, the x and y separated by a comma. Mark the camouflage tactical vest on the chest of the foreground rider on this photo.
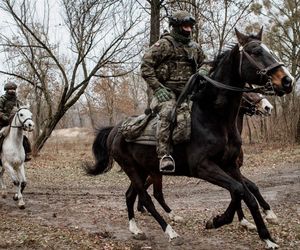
<point>176,69</point>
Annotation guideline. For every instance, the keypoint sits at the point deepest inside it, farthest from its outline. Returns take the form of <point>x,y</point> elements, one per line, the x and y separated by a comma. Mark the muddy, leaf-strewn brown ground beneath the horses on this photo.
<point>65,209</point>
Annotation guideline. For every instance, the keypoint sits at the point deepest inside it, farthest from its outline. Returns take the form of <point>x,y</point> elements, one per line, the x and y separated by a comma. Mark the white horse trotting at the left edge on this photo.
<point>13,154</point>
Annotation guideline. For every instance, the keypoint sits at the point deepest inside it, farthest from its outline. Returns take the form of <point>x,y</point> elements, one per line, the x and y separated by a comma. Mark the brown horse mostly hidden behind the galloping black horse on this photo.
<point>251,104</point>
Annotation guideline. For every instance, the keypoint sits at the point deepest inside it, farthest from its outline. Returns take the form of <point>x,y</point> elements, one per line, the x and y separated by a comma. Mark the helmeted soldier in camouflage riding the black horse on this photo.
<point>166,67</point>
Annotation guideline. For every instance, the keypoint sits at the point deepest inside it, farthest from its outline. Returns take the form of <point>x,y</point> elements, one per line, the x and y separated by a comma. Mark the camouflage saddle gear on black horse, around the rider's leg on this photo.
<point>143,129</point>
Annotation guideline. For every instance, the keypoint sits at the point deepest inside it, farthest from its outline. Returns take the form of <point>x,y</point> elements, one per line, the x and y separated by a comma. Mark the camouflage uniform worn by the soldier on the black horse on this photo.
<point>169,63</point>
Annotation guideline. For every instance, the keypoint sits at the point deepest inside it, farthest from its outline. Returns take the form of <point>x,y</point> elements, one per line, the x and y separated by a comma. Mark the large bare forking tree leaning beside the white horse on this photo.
<point>102,34</point>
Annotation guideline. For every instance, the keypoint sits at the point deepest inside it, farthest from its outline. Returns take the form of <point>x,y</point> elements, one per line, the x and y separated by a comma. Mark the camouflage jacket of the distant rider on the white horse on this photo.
<point>7,103</point>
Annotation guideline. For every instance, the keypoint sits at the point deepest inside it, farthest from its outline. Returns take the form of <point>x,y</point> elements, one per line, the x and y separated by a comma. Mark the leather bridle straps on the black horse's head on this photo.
<point>262,71</point>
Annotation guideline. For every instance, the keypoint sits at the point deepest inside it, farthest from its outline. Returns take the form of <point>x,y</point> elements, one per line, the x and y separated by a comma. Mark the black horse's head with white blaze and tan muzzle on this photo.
<point>257,65</point>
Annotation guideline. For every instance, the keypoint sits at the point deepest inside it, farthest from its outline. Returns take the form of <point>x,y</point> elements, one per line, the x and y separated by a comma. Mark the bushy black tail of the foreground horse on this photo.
<point>101,153</point>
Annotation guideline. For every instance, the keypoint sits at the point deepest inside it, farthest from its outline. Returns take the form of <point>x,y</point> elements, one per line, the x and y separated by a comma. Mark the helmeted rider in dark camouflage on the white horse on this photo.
<point>7,103</point>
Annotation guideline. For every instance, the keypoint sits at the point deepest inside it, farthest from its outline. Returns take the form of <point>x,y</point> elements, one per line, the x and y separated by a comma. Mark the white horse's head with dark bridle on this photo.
<point>23,119</point>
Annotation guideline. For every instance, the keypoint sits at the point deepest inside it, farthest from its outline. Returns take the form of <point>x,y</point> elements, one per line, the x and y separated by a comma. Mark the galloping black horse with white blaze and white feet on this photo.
<point>215,140</point>
